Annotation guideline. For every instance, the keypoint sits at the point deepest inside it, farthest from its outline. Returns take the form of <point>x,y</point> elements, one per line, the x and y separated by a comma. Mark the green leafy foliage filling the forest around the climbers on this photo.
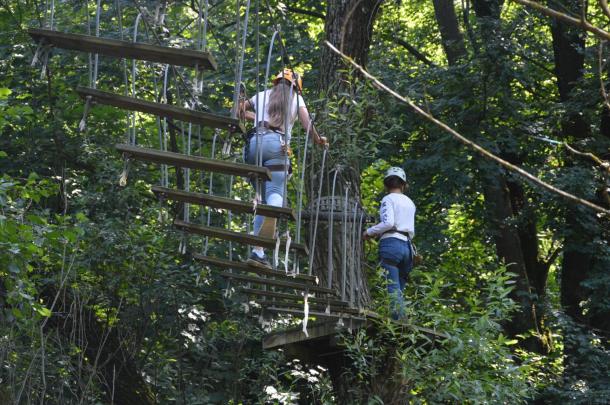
<point>75,247</point>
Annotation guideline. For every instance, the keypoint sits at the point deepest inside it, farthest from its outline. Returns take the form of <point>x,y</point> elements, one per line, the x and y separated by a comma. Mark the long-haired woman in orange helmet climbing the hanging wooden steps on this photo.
<point>274,112</point>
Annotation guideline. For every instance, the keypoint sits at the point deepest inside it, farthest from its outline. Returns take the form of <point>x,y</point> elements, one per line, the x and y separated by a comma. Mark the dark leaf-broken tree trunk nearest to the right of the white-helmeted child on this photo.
<point>516,241</point>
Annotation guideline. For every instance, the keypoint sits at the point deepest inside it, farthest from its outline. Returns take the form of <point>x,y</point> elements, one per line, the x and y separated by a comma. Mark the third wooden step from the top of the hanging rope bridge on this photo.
<point>194,162</point>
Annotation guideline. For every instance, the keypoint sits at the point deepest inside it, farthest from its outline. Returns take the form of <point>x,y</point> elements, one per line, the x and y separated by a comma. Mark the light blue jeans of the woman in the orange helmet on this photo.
<point>272,154</point>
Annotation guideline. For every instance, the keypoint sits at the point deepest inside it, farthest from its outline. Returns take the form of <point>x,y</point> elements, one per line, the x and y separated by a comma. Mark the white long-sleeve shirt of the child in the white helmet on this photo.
<point>397,212</point>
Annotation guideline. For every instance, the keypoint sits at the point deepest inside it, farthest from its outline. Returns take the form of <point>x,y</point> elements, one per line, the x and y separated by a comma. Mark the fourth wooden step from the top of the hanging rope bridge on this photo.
<point>223,203</point>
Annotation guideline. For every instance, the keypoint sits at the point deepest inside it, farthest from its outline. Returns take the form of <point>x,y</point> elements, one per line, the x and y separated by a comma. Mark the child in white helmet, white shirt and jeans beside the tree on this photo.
<point>395,230</point>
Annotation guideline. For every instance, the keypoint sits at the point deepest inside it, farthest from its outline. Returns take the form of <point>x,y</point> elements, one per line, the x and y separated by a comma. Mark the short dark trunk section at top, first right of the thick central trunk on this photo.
<point>451,36</point>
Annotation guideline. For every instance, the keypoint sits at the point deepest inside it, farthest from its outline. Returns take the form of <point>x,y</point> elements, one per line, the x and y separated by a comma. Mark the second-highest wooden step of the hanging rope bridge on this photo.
<point>162,110</point>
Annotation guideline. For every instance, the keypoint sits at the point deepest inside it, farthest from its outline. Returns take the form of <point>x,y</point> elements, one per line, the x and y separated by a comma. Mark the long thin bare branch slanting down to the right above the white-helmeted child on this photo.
<point>482,151</point>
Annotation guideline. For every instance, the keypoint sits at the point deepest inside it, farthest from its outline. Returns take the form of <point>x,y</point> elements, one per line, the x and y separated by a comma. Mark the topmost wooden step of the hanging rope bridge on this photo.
<point>124,49</point>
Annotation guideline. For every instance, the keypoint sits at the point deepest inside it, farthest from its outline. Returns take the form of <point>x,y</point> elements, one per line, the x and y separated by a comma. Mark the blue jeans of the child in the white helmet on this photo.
<point>396,258</point>
